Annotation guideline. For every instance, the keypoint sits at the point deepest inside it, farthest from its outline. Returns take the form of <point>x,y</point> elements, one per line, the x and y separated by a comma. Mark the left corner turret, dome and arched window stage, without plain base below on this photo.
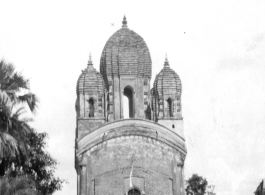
<point>90,93</point>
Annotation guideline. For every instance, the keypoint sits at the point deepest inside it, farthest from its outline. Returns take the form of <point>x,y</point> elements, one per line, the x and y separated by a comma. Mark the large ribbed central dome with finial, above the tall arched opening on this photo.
<point>125,53</point>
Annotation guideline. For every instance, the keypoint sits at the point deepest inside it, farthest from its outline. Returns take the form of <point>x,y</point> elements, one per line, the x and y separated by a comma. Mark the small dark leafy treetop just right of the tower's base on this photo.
<point>196,185</point>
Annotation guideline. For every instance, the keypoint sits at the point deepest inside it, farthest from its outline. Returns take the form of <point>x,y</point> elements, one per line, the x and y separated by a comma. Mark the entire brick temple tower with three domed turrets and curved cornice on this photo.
<point>129,137</point>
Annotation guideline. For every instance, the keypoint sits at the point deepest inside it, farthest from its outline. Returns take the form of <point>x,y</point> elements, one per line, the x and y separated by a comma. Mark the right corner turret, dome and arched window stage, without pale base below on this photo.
<point>167,92</point>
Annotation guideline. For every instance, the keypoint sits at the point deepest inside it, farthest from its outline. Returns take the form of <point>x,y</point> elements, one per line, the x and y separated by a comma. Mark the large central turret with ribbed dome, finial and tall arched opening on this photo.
<point>126,67</point>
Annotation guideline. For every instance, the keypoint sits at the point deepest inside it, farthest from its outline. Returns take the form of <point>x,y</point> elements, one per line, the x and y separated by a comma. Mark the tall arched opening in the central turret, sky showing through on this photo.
<point>128,103</point>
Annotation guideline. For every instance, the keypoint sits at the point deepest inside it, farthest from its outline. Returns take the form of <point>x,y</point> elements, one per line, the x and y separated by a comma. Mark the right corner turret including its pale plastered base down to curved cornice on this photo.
<point>167,99</point>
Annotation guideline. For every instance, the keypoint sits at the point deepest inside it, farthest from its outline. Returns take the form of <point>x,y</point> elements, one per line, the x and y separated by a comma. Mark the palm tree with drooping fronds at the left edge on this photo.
<point>13,129</point>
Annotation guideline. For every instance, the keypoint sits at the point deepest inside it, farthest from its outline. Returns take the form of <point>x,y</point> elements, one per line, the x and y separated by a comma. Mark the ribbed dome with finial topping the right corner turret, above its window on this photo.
<point>167,81</point>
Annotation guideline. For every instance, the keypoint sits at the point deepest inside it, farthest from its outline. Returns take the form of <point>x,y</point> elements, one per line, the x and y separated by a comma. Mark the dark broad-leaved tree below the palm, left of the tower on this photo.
<point>39,165</point>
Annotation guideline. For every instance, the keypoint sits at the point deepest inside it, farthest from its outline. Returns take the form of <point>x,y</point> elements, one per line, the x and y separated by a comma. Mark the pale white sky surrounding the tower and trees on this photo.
<point>216,47</point>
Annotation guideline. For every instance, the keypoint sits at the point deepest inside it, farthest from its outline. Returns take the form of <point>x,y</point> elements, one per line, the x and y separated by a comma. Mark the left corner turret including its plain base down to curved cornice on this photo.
<point>90,104</point>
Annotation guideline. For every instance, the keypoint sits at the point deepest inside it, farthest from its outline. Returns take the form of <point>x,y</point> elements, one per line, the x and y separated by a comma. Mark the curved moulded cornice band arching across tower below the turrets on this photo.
<point>132,127</point>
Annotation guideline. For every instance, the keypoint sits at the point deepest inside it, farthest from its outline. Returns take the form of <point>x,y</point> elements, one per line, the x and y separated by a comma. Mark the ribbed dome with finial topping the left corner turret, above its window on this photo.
<point>90,81</point>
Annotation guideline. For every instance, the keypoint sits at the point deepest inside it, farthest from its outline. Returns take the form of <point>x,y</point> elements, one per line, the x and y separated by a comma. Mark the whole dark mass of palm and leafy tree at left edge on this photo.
<point>22,150</point>
